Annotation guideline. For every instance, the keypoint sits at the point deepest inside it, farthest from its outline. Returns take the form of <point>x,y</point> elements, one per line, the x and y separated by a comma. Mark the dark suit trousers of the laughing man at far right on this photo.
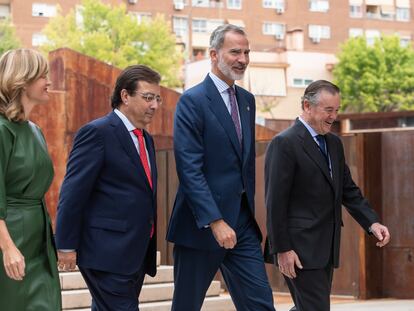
<point>311,289</point>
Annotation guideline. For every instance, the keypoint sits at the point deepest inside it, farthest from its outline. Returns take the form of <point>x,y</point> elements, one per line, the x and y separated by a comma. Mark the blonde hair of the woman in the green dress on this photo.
<point>18,68</point>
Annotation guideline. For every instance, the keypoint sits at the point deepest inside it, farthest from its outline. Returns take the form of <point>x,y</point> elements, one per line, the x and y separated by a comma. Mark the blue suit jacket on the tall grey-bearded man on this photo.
<point>213,169</point>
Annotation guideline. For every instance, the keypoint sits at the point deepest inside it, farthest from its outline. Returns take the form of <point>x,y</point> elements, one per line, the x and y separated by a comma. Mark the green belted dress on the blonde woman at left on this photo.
<point>26,173</point>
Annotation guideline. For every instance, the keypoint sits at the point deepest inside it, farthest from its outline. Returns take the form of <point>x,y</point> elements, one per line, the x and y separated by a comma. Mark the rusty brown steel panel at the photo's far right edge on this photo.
<point>398,194</point>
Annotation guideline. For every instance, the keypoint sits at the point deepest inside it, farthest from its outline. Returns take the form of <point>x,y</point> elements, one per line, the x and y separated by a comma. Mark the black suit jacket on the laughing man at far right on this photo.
<point>304,202</point>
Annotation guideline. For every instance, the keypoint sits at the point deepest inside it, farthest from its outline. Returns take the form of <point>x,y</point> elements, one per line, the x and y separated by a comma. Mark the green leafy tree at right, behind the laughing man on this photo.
<point>376,78</point>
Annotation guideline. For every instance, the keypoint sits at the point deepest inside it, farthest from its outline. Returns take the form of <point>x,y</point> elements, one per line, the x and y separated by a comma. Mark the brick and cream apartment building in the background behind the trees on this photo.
<point>293,42</point>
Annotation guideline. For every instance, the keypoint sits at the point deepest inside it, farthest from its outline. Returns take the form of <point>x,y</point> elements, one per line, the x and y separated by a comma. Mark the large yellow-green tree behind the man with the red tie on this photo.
<point>110,34</point>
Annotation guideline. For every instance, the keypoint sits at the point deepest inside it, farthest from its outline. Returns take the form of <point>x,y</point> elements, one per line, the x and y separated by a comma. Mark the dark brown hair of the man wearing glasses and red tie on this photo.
<point>128,80</point>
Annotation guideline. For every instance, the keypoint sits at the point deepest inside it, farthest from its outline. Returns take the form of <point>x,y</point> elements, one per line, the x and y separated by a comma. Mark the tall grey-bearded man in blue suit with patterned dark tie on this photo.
<point>212,223</point>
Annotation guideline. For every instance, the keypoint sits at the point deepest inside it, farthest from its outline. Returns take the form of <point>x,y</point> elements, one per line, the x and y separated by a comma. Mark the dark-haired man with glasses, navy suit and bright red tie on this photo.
<point>107,207</point>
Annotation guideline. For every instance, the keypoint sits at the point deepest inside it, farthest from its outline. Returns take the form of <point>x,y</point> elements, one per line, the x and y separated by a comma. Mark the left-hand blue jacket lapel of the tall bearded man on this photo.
<point>218,107</point>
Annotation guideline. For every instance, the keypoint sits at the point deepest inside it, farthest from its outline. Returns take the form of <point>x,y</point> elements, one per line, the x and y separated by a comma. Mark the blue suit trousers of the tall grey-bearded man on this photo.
<point>242,268</point>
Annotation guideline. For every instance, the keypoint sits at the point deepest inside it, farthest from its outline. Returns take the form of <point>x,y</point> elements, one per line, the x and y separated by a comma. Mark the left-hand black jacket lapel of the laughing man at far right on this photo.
<point>311,148</point>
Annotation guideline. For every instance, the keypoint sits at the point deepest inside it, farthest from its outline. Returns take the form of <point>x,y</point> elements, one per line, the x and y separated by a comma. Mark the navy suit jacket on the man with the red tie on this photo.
<point>107,207</point>
